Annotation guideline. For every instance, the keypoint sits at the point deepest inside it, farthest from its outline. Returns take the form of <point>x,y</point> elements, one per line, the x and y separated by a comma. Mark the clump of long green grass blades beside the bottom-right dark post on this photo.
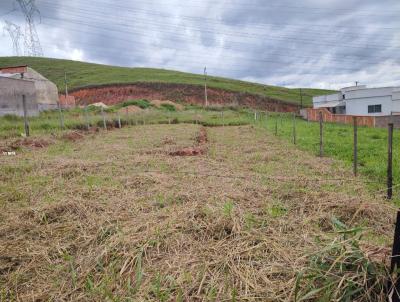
<point>343,271</point>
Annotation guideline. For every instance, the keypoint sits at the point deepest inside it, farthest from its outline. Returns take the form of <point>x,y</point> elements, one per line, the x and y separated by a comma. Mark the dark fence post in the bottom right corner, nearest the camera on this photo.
<point>394,289</point>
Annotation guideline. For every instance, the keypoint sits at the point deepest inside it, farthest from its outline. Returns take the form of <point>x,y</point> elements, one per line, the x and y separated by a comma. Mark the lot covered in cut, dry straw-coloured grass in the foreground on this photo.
<point>115,217</point>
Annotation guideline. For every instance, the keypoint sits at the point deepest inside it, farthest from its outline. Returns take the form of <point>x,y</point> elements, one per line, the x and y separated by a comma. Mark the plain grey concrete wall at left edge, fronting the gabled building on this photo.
<point>11,91</point>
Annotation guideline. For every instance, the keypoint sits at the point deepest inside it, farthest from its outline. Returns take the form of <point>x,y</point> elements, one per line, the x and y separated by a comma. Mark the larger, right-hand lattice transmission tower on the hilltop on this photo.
<point>31,37</point>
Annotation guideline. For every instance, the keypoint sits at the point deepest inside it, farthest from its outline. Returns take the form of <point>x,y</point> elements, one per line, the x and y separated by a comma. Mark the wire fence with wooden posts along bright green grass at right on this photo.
<point>371,152</point>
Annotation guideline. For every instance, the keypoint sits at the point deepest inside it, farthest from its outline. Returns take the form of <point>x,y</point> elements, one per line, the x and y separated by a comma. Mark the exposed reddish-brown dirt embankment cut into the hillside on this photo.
<point>189,94</point>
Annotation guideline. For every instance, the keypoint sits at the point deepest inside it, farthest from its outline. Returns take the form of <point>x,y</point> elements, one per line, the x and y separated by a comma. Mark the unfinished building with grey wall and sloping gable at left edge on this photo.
<point>41,94</point>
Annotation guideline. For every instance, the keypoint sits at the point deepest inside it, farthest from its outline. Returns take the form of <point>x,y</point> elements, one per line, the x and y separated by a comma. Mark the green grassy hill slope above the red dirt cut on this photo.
<point>82,74</point>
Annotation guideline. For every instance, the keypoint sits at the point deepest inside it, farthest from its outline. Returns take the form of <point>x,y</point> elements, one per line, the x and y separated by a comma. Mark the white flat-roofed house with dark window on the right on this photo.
<point>360,100</point>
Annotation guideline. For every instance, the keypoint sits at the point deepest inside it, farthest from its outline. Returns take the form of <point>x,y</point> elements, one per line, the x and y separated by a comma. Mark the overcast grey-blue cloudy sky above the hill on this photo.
<point>306,43</point>
